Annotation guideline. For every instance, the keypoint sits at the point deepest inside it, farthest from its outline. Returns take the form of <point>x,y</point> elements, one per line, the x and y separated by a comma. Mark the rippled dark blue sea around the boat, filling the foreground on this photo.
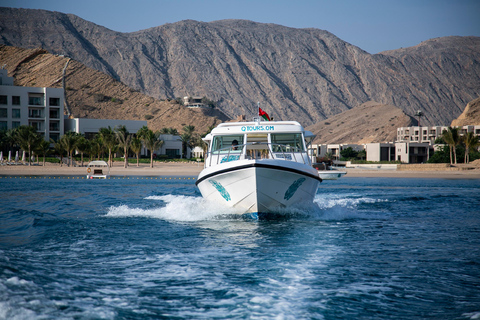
<point>152,248</point>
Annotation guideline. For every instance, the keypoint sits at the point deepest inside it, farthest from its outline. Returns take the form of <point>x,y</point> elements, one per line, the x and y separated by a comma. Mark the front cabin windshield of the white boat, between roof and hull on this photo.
<point>257,150</point>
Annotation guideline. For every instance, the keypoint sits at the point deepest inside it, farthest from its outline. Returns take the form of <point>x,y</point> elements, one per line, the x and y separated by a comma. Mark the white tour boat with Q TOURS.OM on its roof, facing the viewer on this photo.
<point>258,166</point>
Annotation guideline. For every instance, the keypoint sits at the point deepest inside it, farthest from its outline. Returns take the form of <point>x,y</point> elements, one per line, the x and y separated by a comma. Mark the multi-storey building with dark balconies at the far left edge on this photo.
<point>39,107</point>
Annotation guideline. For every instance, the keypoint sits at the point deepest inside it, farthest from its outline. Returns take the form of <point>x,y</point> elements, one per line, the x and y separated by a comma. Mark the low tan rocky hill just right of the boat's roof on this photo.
<point>367,123</point>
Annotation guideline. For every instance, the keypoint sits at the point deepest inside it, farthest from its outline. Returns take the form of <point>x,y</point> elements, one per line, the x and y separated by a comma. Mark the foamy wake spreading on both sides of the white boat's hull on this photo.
<point>189,208</point>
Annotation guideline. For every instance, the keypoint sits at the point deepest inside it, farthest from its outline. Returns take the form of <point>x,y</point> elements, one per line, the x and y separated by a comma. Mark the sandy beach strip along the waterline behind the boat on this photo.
<point>193,169</point>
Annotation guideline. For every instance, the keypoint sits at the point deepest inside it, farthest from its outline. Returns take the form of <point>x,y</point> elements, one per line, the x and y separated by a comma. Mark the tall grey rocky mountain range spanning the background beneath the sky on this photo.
<point>307,75</point>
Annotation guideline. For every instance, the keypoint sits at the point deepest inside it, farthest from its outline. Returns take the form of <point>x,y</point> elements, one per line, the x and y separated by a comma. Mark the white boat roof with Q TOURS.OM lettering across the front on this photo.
<point>231,128</point>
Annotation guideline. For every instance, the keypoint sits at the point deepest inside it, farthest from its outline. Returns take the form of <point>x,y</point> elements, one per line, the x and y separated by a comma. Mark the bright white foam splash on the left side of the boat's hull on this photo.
<point>176,208</point>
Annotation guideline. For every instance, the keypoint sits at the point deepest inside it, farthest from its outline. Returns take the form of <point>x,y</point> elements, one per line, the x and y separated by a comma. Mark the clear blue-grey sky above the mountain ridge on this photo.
<point>373,25</point>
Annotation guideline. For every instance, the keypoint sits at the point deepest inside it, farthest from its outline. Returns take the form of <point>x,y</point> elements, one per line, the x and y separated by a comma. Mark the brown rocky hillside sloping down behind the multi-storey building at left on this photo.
<point>93,94</point>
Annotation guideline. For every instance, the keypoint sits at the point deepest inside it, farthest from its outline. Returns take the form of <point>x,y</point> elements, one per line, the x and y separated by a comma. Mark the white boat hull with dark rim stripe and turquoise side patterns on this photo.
<point>254,186</point>
